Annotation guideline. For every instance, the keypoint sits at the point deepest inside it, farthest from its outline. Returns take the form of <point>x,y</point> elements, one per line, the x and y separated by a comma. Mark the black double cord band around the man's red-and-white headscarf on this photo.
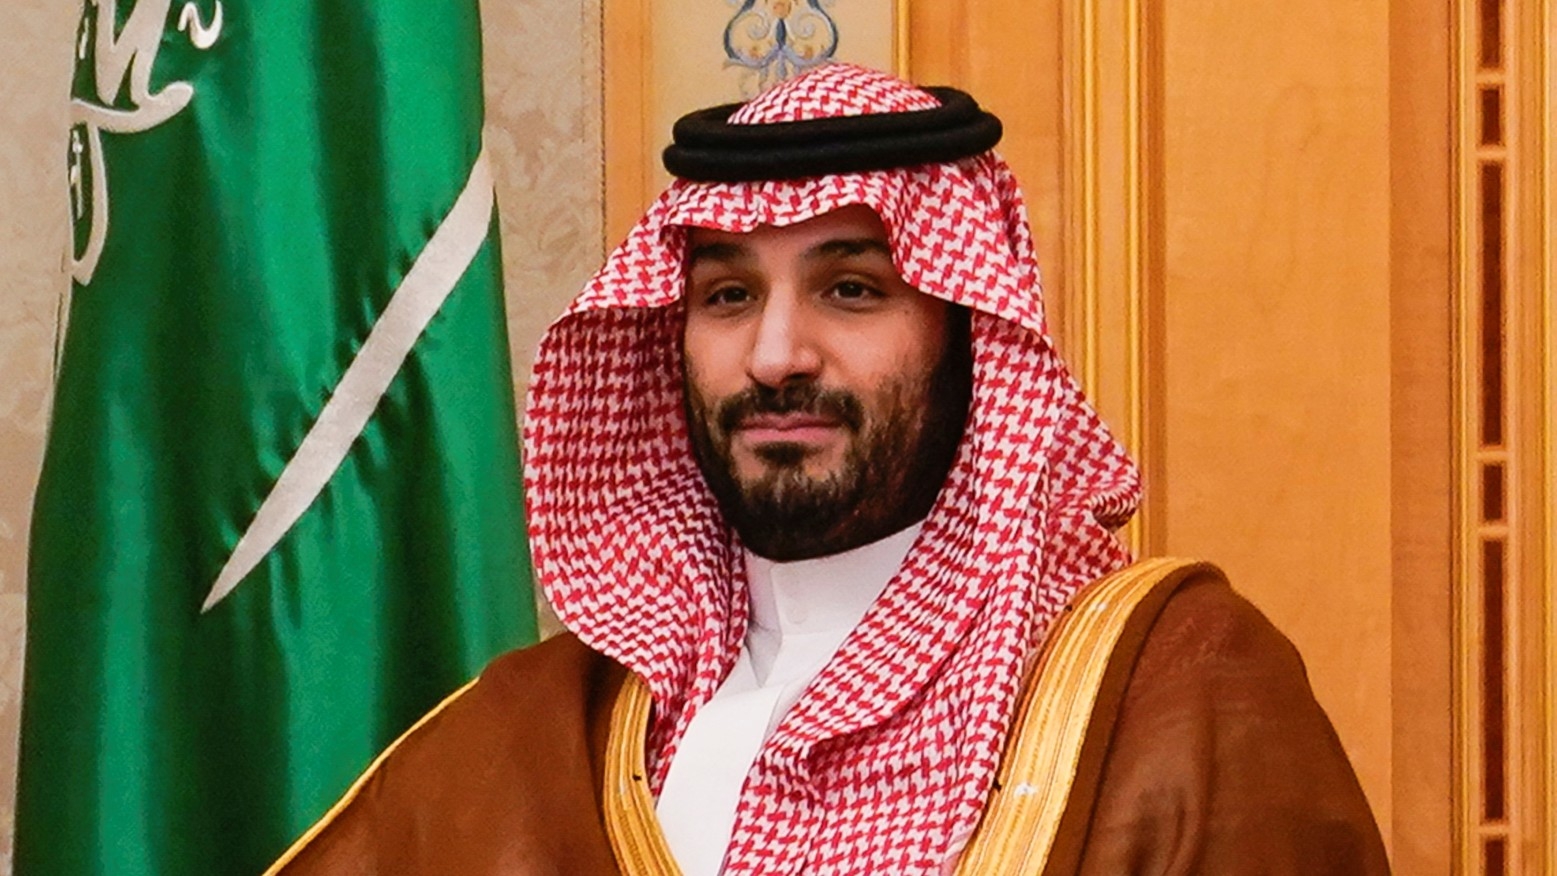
<point>708,149</point>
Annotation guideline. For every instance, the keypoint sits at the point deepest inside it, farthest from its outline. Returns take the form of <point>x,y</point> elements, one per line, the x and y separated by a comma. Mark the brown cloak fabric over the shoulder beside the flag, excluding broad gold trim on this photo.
<point>508,769</point>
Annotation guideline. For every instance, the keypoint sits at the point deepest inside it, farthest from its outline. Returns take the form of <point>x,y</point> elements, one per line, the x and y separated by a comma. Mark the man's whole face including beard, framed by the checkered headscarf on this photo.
<point>824,394</point>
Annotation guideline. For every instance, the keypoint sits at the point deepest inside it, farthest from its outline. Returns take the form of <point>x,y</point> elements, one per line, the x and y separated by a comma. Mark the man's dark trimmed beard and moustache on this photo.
<point>896,461</point>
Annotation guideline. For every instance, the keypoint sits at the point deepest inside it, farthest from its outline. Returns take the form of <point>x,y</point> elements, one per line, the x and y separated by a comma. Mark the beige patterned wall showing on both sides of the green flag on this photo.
<point>543,60</point>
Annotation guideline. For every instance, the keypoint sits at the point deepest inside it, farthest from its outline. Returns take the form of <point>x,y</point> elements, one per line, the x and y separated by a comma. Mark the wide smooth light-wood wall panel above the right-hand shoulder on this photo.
<point>1278,334</point>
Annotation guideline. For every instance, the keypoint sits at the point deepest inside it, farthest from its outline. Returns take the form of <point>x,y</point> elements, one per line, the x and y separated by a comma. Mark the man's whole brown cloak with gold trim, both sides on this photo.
<point>1167,731</point>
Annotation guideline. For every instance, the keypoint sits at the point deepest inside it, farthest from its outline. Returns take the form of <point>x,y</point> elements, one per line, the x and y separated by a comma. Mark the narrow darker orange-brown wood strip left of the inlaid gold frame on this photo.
<point>1422,272</point>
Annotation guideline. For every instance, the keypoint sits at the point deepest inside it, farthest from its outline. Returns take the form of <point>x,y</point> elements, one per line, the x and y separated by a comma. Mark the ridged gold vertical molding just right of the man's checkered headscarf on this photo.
<point>1114,208</point>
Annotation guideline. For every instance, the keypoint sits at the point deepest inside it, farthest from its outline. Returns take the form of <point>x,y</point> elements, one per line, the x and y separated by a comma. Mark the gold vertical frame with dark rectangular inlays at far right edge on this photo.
<point>1503,436</point>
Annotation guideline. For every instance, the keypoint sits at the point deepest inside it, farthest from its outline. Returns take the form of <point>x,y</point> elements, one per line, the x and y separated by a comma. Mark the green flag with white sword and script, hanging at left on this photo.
<point>281,508</point>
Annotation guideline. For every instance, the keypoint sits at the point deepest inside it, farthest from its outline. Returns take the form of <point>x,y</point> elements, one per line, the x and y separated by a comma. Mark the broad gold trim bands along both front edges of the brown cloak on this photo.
<point>1036,819</point>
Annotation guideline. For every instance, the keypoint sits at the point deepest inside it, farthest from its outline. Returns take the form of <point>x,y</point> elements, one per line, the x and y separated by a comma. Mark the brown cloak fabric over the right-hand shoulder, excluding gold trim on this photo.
<point>1221,752</point>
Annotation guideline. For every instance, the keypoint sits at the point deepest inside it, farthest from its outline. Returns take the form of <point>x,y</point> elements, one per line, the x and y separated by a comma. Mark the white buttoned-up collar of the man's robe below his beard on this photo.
<point>828,594</point>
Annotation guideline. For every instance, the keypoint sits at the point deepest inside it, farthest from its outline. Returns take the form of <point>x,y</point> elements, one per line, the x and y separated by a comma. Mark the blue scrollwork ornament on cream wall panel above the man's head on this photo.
<point>776,40</point>
